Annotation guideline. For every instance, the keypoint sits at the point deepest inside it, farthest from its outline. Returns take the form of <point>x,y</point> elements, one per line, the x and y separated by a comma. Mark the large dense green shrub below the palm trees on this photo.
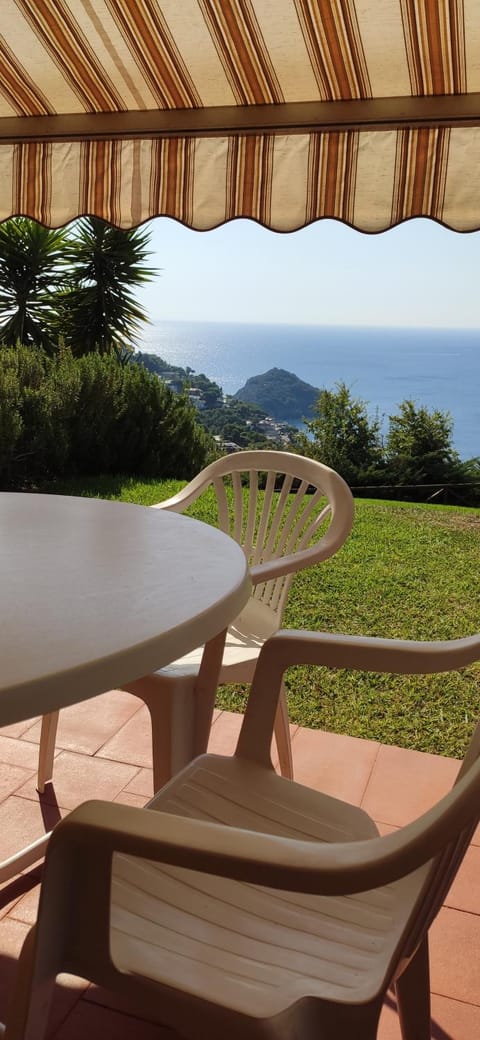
<point>66,417</point>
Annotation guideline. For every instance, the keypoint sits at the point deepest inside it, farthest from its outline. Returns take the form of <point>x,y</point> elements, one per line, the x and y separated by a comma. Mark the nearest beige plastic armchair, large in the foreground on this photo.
<point>242,904</point>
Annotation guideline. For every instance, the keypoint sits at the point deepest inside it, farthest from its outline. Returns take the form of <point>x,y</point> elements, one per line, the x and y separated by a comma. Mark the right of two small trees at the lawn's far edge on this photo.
<point>419,447</point>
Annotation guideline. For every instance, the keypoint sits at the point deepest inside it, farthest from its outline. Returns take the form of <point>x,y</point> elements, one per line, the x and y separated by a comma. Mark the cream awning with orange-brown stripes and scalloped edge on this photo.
<point>284,112</point>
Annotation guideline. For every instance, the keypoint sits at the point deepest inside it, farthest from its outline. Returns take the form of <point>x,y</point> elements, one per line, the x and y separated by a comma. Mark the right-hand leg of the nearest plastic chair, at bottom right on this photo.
<point>413,990</point>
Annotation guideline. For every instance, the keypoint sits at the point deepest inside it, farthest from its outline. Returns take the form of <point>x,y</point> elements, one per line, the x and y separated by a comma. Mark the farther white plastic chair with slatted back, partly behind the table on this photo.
<point>304,515</point>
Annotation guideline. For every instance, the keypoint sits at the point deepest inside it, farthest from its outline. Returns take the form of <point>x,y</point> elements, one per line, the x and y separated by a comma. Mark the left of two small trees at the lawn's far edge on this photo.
<point>344,437</point>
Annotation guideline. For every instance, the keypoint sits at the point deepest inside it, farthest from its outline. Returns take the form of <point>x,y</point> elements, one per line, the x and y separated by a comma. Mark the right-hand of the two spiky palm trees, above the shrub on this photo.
<point>99,309</point>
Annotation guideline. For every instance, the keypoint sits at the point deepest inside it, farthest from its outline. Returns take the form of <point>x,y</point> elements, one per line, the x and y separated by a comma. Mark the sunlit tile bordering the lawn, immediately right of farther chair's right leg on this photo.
<point>337,765</point>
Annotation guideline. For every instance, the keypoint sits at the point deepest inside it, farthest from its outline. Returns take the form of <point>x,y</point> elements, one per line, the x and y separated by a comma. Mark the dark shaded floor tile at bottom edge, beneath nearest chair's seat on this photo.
<point>98,1023</point>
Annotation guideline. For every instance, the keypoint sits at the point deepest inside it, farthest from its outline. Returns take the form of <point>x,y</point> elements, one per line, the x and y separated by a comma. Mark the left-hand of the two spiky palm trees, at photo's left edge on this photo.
<point>33,270</point>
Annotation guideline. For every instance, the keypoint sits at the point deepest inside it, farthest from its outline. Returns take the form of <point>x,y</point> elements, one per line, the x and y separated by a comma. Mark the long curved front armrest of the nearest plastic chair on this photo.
<point>97,830</point>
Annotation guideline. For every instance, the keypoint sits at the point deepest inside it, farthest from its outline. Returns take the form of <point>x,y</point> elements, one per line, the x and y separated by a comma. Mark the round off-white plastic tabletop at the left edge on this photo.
<point>95,594</point>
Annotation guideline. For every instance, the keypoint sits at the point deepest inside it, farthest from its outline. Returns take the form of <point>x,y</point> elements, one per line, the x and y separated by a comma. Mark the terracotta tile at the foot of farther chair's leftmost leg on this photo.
<point>79,778</point>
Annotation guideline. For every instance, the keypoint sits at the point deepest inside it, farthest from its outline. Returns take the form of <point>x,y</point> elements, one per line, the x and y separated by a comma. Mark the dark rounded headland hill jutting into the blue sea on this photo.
<point>281,395</point>
